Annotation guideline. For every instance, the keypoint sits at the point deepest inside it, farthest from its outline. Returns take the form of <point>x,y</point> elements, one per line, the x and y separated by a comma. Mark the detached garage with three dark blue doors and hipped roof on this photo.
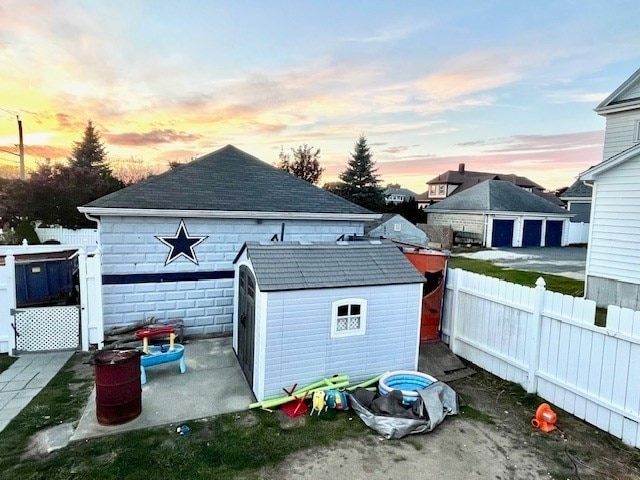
<point>497,213</point>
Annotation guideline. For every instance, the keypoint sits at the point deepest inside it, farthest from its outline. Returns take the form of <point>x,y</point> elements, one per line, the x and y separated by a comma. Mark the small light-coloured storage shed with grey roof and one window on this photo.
<point>309,311</point>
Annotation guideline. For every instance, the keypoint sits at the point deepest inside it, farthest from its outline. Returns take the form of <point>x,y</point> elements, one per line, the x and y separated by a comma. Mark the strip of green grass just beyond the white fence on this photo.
<point>555,283</point>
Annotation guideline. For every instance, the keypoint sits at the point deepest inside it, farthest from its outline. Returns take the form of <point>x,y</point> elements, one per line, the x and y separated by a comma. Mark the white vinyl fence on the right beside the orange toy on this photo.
<point>548,343</point>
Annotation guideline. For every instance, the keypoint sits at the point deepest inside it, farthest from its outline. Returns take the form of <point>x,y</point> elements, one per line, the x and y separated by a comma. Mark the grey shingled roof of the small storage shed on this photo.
<point>297,266</point>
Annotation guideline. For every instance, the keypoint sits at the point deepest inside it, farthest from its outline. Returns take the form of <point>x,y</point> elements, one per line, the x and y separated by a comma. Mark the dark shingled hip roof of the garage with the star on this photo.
<point>226,180</point>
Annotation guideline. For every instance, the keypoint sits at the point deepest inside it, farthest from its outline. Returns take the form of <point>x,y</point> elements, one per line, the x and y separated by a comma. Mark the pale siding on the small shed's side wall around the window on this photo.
<point>300,349</point>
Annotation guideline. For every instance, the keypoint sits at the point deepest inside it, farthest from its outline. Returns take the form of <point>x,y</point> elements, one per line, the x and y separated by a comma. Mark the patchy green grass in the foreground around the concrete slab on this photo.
<point>226,446</point>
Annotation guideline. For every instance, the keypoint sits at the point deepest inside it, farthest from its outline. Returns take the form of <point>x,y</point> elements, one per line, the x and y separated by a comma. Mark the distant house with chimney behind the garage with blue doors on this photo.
<point>453,182</point>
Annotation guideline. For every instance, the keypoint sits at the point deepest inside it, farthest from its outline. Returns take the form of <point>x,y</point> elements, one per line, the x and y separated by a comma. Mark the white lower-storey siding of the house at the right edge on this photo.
<point>614,250</point>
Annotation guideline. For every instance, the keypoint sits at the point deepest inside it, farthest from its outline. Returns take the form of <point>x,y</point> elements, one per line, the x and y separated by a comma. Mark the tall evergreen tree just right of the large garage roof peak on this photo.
<point>361,185</point>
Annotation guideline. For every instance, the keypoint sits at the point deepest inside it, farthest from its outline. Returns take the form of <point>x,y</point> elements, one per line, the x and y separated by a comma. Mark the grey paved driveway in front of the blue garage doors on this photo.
<point>565,261</point>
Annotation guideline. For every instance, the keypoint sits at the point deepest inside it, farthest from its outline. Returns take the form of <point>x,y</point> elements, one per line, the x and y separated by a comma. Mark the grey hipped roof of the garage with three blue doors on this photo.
<point>497,196</point>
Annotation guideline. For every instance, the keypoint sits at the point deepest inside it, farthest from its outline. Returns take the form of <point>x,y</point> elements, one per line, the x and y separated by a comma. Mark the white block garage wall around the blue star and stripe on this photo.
<point>129,246</point>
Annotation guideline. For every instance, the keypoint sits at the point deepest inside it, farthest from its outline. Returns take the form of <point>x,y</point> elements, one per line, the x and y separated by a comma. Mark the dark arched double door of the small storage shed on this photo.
<point>246,323</point>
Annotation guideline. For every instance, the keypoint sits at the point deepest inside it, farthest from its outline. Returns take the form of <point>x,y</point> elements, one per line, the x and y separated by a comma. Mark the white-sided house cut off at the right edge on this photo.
<point>613,255</point>
